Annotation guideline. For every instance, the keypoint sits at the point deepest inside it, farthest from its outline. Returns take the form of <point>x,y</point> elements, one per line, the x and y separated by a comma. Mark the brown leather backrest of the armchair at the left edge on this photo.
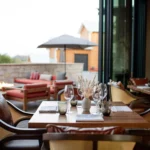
<point>5,113</point>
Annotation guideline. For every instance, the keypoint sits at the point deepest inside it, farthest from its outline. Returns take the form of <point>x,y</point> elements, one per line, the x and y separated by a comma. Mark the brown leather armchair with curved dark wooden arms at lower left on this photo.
<point>16,138</point>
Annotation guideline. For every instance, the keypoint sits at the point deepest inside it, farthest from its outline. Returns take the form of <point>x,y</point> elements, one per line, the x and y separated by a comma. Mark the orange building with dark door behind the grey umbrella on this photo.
<point>88,56</point>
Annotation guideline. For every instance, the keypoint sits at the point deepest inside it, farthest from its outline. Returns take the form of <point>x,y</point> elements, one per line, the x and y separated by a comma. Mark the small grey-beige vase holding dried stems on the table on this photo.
<point>86,105</point>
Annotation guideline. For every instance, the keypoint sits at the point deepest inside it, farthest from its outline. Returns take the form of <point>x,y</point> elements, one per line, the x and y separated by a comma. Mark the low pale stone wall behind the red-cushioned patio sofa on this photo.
<point>9,71</point>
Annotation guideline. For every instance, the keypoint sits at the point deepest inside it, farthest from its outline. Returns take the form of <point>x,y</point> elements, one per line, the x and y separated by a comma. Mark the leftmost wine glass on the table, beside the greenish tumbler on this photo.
<point>68,95</point>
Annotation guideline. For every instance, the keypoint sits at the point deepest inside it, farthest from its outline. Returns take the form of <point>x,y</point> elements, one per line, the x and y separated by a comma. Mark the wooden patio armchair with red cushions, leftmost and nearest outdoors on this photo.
<point>30,92</point>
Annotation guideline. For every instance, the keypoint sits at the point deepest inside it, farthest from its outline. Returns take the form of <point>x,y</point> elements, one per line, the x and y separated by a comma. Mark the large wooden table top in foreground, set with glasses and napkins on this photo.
<point>123,119</point>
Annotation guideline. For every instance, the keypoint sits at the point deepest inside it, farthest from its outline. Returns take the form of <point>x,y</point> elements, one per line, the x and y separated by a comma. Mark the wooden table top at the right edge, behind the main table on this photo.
<point>142,89</point>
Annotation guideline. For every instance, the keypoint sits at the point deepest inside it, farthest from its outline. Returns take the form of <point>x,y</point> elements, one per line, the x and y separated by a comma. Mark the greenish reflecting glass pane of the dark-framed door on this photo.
<point>122,33</point>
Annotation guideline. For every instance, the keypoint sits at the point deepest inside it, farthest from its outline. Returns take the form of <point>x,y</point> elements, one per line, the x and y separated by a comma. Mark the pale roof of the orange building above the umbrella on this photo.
<point>91,26</point>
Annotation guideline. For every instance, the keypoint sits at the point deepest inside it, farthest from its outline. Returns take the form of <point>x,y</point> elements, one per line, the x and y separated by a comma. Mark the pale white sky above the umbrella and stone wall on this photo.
<point>25,24</point>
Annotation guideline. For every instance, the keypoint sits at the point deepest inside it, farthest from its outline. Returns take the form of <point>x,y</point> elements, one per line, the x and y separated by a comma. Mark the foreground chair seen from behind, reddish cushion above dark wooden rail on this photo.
<point>66,138</point>
